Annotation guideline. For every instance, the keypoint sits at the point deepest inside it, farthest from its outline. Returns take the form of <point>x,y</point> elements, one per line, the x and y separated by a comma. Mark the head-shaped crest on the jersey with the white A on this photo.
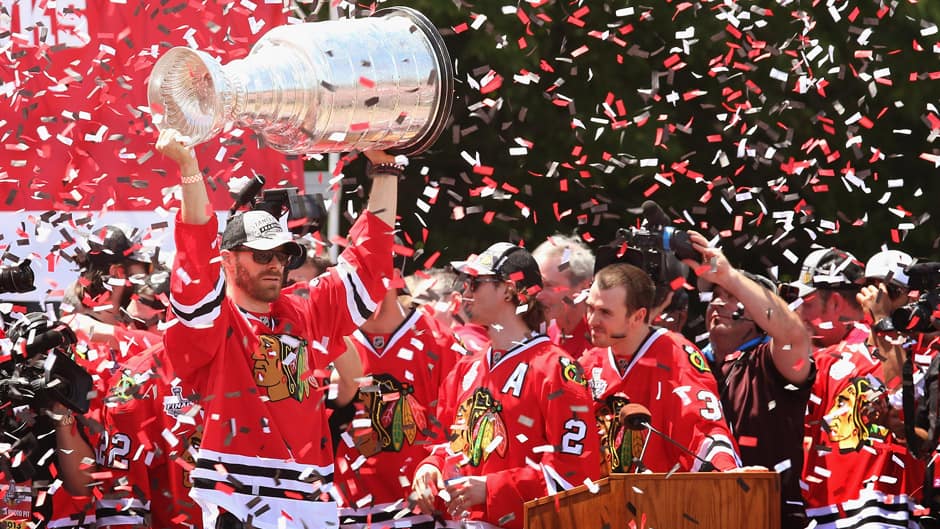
<point>480,428</point>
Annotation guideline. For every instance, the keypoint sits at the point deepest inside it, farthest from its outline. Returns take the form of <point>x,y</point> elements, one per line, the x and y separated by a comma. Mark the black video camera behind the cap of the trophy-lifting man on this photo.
<point>304,212</point>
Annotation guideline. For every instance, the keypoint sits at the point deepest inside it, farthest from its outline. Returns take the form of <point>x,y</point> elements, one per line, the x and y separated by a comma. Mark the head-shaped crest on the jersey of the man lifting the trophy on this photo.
<point>280,366</point>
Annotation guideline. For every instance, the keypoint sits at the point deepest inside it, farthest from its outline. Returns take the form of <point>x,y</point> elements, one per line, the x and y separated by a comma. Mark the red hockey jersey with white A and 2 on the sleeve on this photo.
<point>523,420</point>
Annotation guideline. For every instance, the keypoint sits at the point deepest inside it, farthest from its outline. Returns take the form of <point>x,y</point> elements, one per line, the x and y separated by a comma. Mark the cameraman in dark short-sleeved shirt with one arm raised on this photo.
<point>761,360</point>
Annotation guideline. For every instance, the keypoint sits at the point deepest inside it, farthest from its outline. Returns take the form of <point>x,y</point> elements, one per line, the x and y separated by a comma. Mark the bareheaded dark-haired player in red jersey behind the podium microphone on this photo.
<point>633,362</point>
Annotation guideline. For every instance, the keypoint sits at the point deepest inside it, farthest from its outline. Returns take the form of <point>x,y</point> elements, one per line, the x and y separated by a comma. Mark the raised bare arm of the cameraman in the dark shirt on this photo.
<point>791,343</point>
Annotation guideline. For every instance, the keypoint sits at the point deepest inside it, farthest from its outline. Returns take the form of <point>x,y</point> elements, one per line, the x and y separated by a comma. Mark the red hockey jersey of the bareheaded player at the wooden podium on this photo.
<point>669,376</point>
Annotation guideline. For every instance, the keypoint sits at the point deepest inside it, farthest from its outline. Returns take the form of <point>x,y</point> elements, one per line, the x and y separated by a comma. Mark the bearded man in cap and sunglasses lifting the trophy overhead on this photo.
<point>256,357</point>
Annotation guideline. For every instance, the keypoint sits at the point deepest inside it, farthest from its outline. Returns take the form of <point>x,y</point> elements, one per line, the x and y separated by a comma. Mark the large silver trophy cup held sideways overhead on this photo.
<point>382,82</point>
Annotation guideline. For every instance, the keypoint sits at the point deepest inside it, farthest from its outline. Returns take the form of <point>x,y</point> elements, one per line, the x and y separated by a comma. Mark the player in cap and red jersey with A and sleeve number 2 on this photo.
<point>501,408</point>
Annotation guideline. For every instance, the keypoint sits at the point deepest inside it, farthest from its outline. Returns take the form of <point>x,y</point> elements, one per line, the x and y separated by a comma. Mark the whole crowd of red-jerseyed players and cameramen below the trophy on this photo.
<point>250,383</point>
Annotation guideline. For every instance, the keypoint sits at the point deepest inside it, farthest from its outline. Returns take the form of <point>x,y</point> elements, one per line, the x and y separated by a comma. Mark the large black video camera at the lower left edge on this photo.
<point>36,374</point>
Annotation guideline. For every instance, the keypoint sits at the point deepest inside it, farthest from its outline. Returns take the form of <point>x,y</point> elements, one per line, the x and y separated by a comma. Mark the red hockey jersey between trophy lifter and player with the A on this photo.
<point>391,432</point>
